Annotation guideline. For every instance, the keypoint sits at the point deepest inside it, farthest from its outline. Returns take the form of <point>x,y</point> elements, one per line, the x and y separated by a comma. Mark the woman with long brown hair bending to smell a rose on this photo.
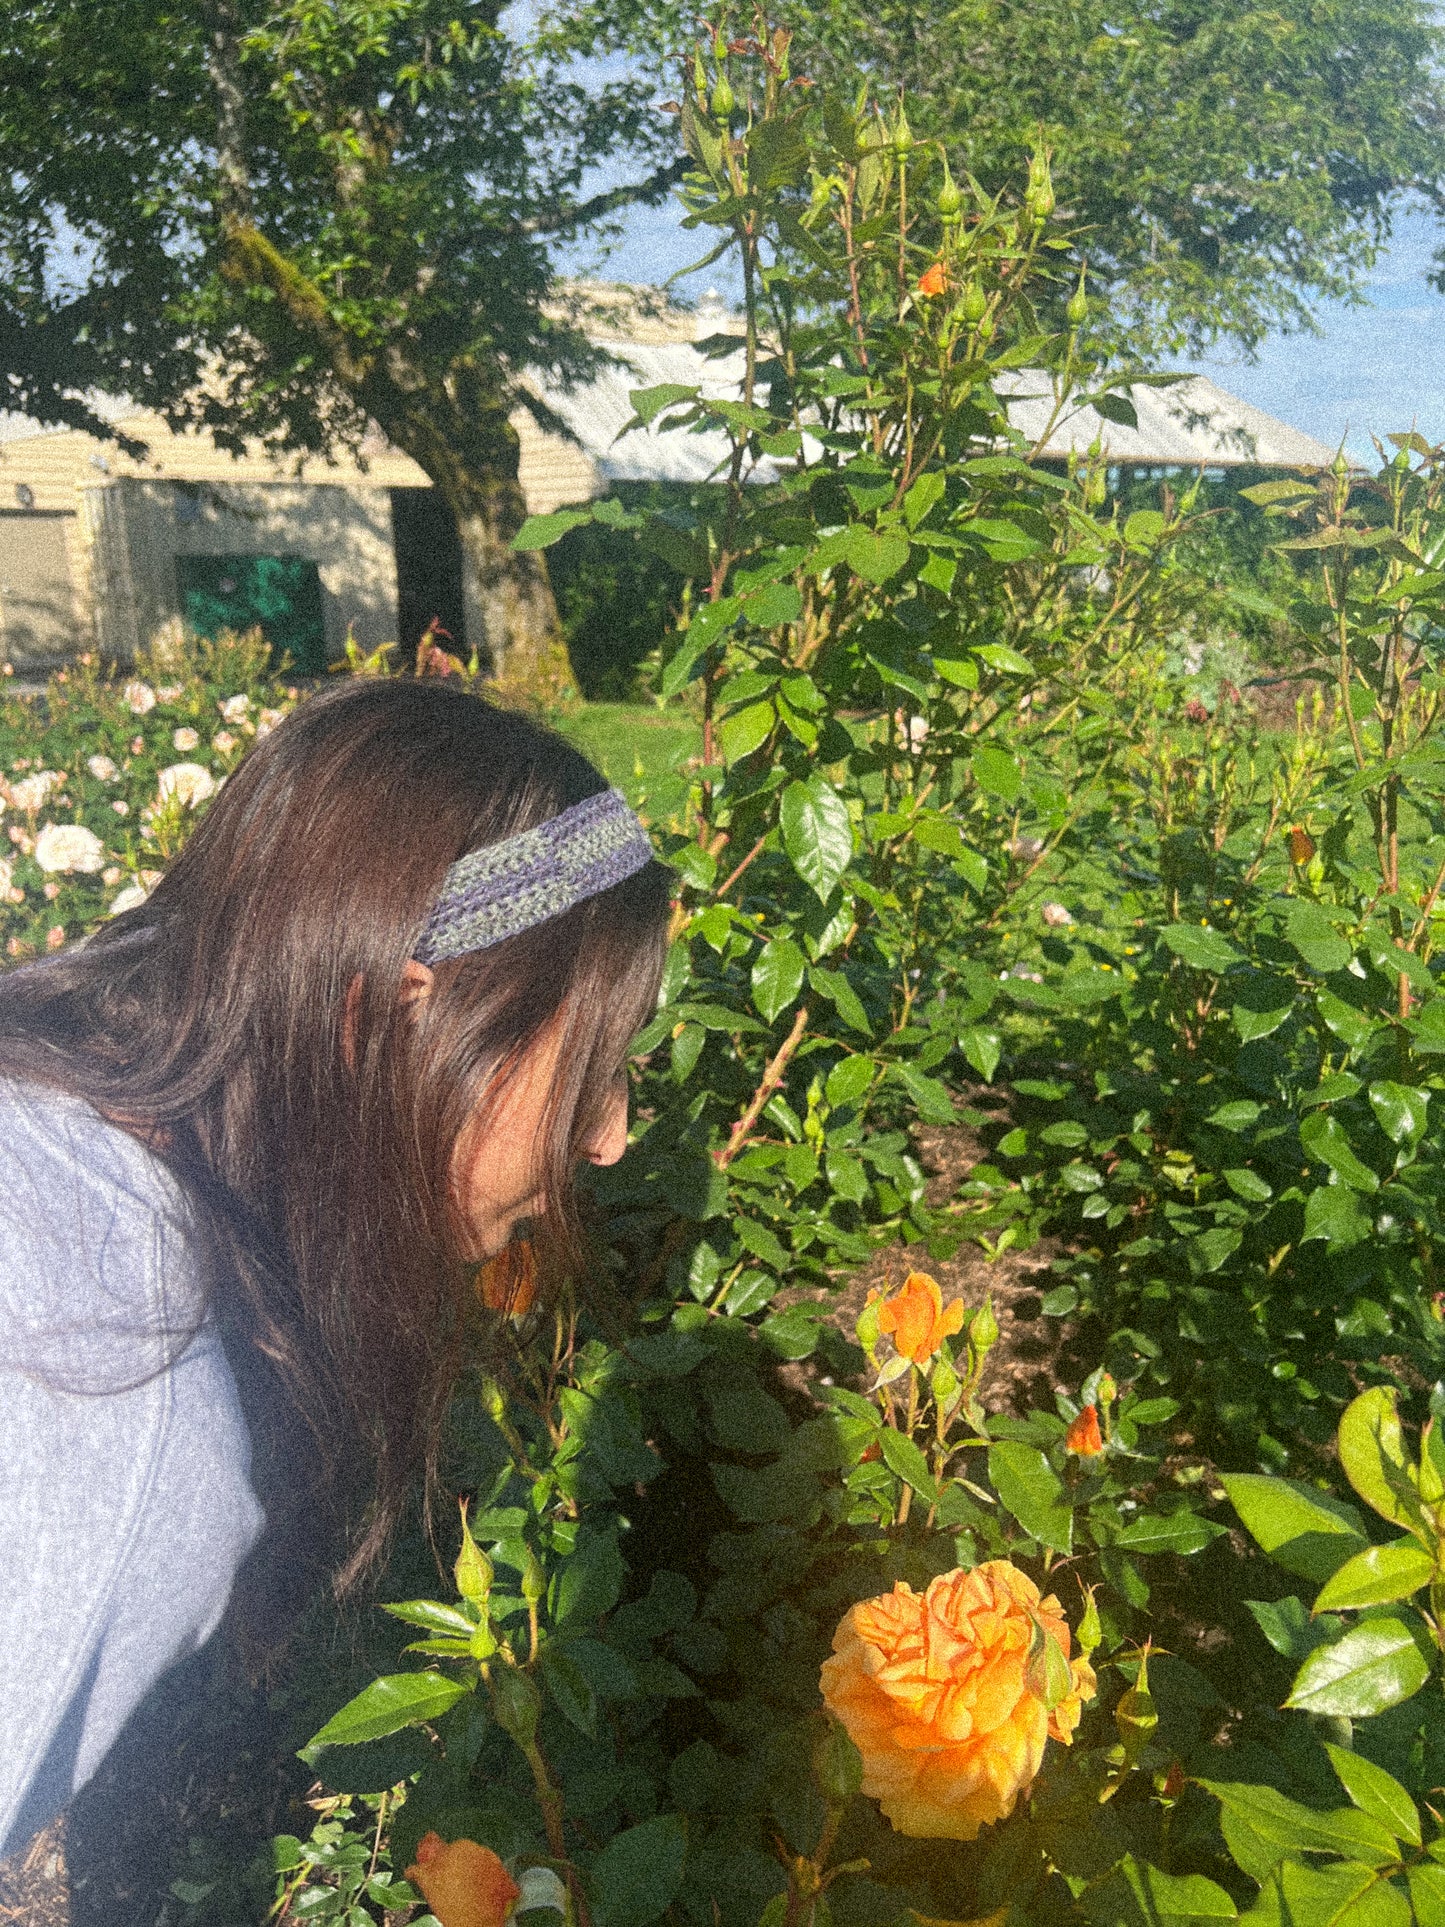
<point>253,1140</point>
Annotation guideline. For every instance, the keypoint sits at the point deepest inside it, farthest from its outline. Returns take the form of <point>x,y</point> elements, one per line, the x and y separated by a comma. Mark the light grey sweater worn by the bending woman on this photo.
<point>126,1504</point>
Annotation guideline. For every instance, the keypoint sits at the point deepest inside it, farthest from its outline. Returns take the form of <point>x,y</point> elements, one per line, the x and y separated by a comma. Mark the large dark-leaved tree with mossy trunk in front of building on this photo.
<point>288,221</point>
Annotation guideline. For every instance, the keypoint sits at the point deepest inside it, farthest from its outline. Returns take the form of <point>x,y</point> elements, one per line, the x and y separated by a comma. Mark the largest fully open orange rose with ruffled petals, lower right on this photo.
<point>935,1693</point>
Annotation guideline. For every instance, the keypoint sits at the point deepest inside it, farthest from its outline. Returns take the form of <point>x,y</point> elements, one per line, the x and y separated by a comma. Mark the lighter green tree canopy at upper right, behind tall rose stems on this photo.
<point>1224,165</point>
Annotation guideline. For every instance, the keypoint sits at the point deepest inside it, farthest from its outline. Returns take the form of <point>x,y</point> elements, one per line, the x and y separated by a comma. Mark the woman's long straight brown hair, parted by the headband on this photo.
<point>248,1022</point>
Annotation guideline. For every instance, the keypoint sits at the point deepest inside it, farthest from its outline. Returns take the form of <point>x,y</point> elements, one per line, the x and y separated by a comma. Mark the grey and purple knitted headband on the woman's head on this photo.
<point>537,876</point>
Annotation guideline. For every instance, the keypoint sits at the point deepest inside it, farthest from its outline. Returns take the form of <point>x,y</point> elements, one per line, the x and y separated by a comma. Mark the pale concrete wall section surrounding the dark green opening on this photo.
<point>138,529</point>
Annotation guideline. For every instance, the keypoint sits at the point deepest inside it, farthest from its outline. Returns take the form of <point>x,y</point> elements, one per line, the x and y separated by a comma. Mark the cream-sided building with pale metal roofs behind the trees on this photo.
<point>103,550</point>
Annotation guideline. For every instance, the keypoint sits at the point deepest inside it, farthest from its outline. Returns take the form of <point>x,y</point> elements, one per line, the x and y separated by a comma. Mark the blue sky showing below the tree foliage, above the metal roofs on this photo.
<point>1373,369</point>
